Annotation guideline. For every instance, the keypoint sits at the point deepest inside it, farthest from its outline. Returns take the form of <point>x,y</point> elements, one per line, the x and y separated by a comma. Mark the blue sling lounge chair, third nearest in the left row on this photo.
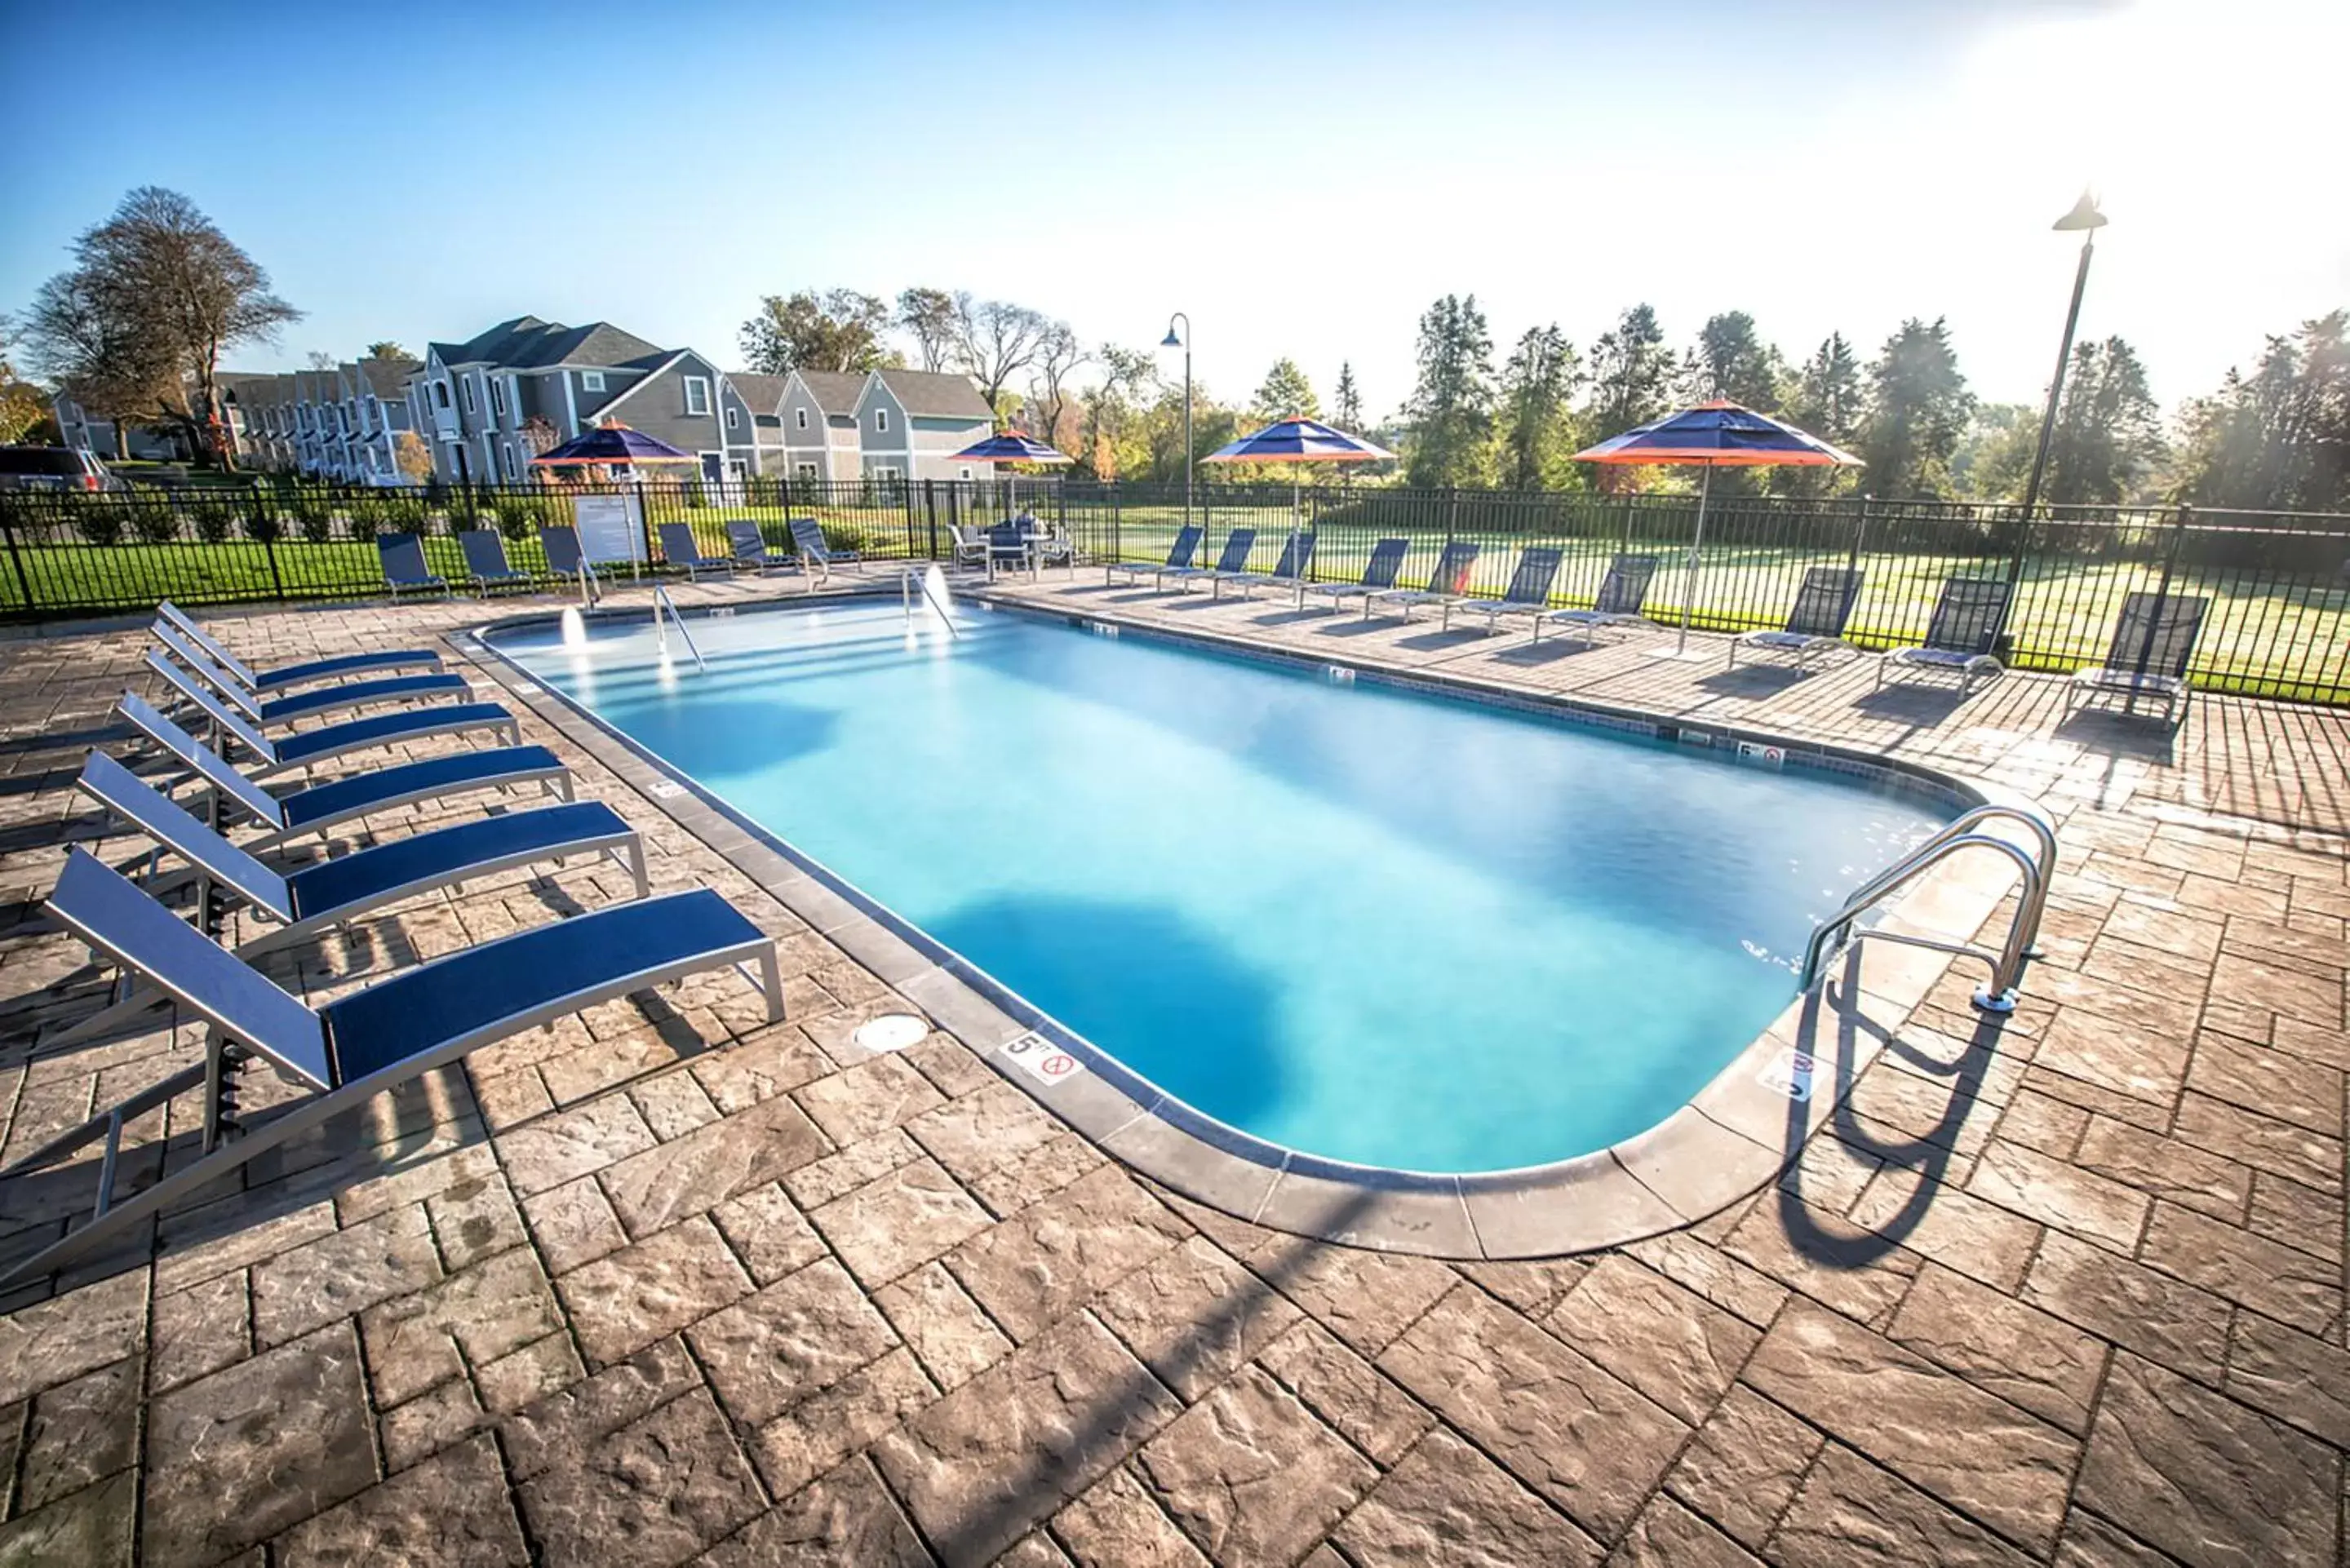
<point>330,805</point>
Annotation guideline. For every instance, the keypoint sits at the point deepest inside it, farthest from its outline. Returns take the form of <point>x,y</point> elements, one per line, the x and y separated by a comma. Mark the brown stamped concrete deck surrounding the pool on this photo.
<point>673,1285</point>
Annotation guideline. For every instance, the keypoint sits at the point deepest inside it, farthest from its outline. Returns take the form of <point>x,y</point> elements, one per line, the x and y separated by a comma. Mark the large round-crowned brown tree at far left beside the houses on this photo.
<point>163,295</point>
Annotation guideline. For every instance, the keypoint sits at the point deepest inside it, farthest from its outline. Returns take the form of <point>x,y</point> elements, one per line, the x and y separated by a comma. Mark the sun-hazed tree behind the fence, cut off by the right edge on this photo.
<point>2281,436</point>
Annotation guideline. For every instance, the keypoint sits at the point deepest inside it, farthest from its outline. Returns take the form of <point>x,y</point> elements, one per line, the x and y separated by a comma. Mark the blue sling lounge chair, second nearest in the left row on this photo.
<point>347,887</point>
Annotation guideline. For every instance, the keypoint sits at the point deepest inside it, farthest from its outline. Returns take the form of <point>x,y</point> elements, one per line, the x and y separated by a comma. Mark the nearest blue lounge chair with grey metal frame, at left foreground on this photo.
<point>361,1045</point>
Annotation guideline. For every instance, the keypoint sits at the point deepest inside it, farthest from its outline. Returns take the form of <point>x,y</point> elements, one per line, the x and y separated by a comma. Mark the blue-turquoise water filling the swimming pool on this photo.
<point>1369,925</point>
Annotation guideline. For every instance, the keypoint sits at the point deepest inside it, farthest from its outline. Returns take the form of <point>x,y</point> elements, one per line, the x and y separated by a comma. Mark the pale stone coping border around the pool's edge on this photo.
<point>1735,1137</point>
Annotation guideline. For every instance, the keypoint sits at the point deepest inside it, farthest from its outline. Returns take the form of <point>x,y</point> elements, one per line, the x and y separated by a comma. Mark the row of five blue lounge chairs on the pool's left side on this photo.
<point>396,1028</point>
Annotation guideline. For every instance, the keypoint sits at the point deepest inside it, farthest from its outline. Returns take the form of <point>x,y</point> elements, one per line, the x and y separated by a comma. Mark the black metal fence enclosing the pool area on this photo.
<point>2278,582</point>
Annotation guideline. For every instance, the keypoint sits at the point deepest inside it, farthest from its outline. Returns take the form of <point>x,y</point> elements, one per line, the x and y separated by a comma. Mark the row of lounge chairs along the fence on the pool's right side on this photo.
<point>2147,662</point>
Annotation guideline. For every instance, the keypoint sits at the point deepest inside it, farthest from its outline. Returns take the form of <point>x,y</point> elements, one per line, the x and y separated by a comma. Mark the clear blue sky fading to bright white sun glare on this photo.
<point>1301,180</point>
